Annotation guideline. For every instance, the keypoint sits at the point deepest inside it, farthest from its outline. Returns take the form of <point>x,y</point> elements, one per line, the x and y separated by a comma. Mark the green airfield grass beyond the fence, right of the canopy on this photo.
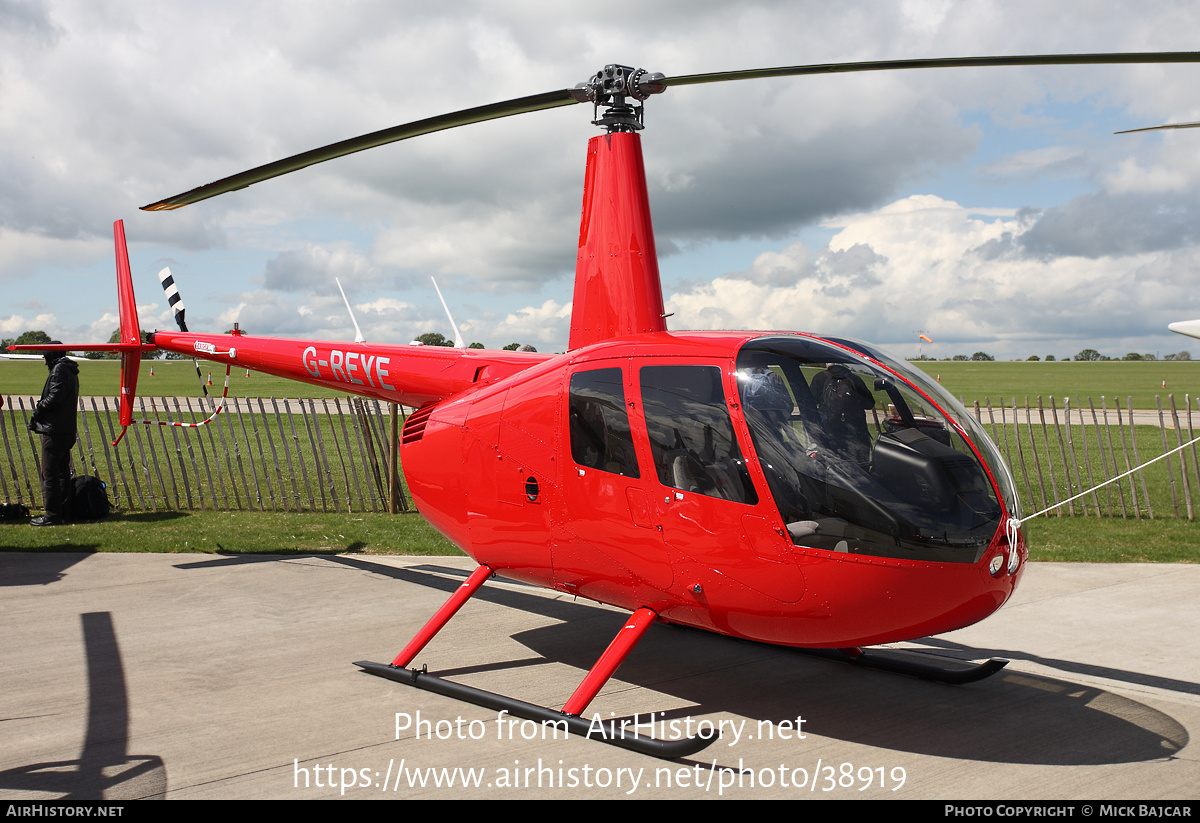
<point>1004,381</point>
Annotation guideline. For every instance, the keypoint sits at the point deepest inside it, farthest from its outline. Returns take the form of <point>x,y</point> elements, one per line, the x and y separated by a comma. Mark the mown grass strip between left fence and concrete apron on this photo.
<point>238,533</point>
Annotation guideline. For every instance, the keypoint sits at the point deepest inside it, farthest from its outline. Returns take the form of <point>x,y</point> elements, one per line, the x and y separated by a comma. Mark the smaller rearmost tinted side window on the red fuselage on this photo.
<point>599,420</point>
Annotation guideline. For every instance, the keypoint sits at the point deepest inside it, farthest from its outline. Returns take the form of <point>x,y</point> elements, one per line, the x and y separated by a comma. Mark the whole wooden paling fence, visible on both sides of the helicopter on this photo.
<point>332,455</point>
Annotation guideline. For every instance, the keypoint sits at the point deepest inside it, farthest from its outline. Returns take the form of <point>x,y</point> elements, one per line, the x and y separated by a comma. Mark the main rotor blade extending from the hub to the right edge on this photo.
<point>939,63</point>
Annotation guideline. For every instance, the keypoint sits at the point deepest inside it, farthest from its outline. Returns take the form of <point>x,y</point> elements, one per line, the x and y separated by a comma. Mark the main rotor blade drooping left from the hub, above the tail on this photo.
<point>479,115</point>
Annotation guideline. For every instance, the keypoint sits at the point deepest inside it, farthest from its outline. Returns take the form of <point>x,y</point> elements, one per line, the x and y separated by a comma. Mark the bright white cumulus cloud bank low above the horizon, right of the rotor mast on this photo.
<point>925,263</point>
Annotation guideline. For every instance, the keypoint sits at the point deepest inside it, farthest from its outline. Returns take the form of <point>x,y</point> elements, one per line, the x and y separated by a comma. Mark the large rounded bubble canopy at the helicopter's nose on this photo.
<point>866,455</point>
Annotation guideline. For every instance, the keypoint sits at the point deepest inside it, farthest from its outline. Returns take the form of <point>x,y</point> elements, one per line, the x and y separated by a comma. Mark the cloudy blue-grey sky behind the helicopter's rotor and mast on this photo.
<point>991,209</point>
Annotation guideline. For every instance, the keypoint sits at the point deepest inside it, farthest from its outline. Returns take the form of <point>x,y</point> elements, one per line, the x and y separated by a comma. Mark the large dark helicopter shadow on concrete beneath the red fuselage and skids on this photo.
<point>1011,718</point>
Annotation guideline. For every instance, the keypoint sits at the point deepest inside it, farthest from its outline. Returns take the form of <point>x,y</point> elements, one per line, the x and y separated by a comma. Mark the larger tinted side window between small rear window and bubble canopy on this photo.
<point>692,435</point>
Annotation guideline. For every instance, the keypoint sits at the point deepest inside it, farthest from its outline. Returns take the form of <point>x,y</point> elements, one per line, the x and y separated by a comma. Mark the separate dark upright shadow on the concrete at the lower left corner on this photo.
<point>104,771</point>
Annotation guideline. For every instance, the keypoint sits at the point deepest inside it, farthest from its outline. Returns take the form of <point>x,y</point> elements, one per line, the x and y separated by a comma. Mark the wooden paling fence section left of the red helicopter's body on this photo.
<point>259,455</point>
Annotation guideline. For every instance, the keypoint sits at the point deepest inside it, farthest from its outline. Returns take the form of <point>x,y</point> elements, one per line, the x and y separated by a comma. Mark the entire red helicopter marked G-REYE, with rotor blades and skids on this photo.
<point>776,486</point>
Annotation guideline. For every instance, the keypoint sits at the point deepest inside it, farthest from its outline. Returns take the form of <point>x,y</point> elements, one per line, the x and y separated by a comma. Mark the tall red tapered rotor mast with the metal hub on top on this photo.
<point>617,286</point>
